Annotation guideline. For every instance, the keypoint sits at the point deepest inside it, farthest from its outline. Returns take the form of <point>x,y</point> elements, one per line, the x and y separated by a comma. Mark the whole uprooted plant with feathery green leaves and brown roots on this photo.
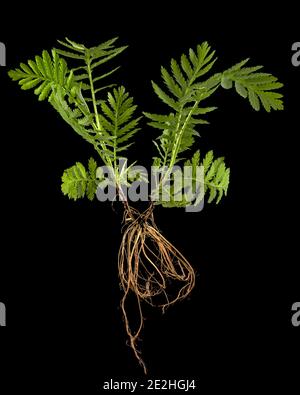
<point>103,114</point>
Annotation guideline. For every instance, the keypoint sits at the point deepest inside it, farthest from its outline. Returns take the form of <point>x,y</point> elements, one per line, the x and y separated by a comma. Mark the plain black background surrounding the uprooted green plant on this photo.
<point>58,275</point>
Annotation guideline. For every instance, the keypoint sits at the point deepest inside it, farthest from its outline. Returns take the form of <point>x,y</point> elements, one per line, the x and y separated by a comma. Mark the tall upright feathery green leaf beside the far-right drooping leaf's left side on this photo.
<point>184,94</point>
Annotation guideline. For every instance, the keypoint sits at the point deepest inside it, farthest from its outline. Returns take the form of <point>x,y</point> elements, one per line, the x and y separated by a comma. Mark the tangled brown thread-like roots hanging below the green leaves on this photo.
<point>151,268</point>
